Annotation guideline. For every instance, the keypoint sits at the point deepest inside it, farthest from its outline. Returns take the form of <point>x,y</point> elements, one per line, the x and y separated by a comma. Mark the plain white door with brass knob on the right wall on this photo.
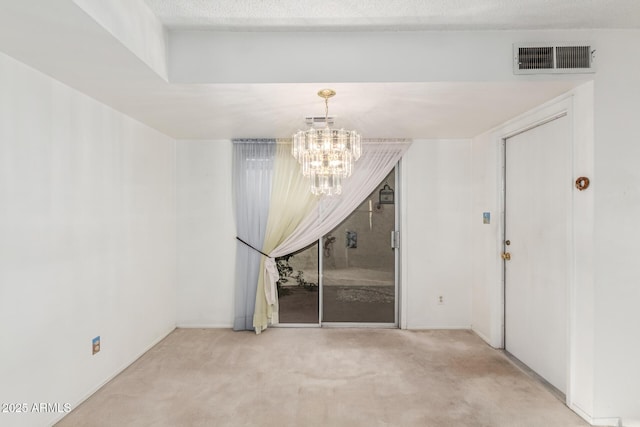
<point>537,208</point>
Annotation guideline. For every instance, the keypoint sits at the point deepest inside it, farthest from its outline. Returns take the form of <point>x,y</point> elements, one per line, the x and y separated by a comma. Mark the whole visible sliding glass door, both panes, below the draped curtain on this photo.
<point>349,276</point>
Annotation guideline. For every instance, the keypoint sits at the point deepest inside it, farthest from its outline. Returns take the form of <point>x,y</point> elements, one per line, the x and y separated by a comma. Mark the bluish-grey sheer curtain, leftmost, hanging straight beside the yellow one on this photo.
<point>253,162</point>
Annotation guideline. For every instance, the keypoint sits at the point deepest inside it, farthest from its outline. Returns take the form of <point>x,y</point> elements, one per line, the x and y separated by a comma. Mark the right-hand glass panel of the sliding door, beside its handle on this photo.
<point>359,263</point>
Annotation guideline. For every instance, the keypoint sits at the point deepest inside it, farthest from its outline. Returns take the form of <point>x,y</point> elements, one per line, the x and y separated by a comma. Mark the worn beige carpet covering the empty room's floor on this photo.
<point>323,377</point>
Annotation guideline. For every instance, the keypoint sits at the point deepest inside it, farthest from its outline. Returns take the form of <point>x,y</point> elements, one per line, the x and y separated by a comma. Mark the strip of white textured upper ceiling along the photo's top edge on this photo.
<point>396,14</point>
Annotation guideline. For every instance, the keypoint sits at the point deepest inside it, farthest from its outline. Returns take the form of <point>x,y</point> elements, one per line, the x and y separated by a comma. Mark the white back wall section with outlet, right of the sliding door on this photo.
<point>436,204</point>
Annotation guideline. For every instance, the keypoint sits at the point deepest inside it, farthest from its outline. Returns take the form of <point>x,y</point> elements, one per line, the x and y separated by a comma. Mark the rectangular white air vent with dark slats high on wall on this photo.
<point>553,58</point>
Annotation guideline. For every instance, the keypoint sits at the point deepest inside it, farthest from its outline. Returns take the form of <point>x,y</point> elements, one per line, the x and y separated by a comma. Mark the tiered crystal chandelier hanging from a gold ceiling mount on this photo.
<point>326,155</point>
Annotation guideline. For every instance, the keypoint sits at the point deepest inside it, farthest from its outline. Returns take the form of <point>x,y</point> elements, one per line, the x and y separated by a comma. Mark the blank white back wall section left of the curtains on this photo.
<point>206,234</point>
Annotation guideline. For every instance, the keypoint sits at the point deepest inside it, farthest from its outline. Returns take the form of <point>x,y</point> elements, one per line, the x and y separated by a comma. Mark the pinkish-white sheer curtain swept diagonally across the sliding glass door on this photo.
<point>377,160</point>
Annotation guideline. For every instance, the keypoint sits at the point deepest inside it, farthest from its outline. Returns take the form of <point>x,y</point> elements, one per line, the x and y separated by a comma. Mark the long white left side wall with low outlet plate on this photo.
<point>87,241</point>
